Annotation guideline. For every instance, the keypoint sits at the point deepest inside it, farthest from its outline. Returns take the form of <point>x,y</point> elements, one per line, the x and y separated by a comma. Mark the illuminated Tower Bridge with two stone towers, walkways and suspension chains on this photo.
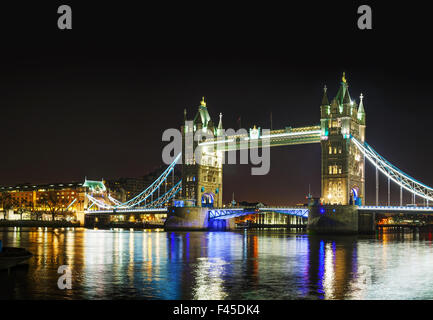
<point>196,200</point>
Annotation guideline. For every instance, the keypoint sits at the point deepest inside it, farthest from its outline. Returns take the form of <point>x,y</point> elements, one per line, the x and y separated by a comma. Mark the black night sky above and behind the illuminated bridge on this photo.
<point>95,100</point>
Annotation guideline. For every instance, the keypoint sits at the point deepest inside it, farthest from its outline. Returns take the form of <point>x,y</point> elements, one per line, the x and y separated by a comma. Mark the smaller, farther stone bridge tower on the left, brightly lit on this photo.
<point>201,165</point>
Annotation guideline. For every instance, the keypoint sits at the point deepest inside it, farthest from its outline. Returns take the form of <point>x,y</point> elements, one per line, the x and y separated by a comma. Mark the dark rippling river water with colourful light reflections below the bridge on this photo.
<point>261,264</point>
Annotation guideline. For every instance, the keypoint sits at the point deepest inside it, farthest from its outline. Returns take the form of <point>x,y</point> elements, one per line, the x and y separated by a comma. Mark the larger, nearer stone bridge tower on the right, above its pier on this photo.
<point>343,165</point>
